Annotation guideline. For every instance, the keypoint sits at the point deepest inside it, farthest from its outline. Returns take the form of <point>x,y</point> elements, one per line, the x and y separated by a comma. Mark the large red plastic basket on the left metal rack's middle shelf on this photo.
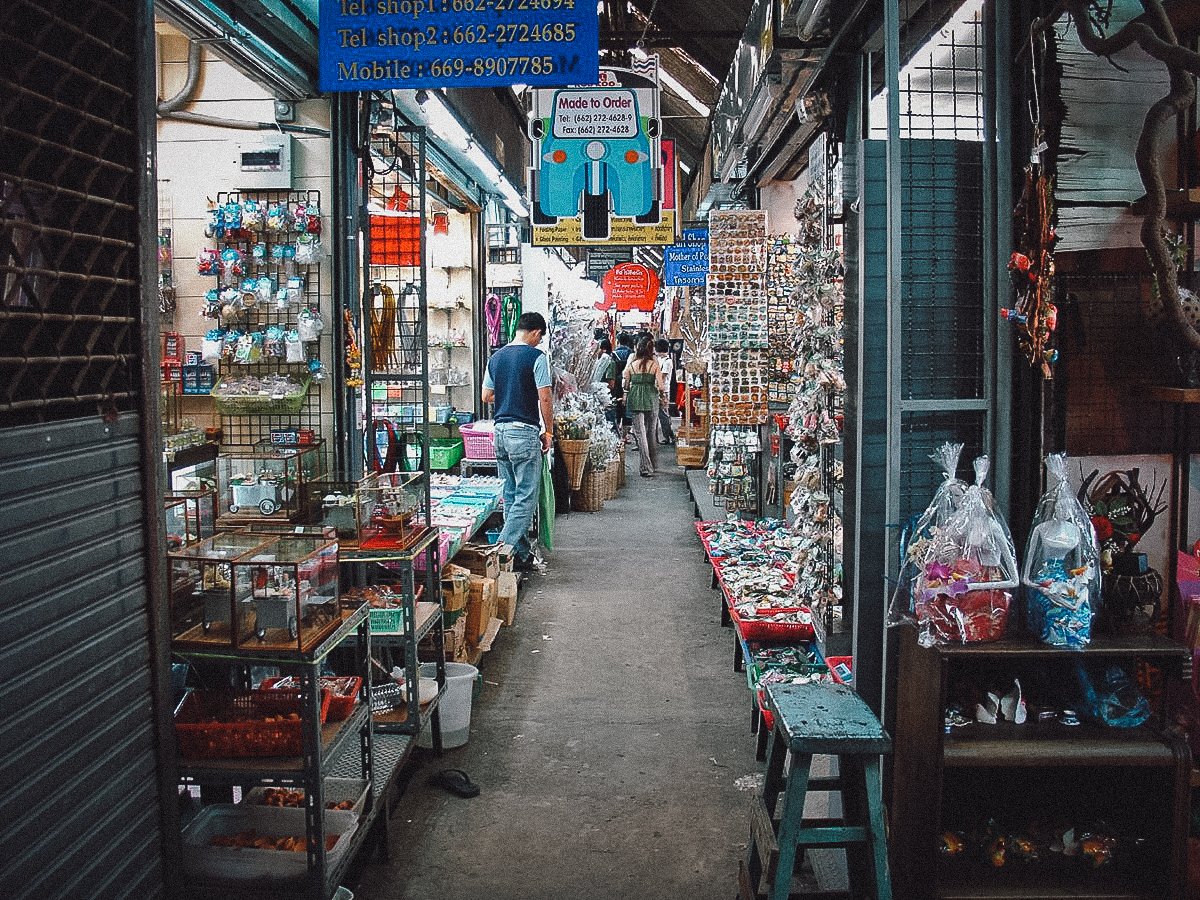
<point>215,725</point>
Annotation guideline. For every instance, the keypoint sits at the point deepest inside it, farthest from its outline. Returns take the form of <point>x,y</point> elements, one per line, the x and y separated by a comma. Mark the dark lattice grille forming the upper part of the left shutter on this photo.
<point>69,193</point>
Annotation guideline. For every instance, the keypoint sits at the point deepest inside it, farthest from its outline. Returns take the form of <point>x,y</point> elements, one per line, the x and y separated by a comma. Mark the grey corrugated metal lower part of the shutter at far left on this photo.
<point>79,791</point>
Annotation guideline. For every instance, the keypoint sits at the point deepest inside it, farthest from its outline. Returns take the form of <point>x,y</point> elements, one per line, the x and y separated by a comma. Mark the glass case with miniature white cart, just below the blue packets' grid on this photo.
<point>266,482</point>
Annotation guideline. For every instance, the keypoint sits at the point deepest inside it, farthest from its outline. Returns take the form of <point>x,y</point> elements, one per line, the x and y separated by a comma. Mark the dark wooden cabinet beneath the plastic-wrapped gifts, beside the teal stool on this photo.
<point>1138,778</point>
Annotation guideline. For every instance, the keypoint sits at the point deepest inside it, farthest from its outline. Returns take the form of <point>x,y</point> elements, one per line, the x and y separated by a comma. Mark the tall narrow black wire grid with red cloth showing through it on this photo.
<point>395,335</point>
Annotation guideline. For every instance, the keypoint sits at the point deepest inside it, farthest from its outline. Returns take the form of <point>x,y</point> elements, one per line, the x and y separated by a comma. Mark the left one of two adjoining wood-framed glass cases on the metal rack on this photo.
<point>202,604</point>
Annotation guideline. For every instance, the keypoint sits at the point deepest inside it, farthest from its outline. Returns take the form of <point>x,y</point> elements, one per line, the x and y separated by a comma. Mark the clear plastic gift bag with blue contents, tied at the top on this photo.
<point>1063,565</point>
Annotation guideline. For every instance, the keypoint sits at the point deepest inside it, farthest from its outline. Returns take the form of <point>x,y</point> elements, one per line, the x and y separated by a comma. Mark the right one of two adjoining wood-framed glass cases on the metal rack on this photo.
<point>286,595</point>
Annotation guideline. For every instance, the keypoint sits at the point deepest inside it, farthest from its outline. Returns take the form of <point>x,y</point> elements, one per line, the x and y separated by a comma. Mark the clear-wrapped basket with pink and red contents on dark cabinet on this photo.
<point>964,590</point>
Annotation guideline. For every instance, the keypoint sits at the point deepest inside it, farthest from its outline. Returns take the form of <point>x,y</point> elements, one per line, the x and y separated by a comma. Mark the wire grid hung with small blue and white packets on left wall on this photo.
<point>274,243</point>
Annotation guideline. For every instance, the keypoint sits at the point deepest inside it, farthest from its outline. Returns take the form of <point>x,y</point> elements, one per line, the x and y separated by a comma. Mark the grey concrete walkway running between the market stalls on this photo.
<point>611,742</point>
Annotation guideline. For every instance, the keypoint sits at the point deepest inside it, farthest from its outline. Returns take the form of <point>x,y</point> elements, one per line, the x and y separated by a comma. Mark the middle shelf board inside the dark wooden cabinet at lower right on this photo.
<point>1046,745</point>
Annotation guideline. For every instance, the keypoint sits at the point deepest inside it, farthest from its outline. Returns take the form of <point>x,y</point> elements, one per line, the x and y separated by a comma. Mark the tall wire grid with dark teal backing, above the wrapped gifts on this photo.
<point>944,332</point>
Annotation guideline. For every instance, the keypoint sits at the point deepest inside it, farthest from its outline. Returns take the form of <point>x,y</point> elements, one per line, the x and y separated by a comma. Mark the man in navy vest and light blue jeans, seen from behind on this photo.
<point>519,383</point>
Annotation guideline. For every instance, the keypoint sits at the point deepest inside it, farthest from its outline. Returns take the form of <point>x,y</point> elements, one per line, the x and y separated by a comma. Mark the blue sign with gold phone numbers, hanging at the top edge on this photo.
<point>371,45</point>
